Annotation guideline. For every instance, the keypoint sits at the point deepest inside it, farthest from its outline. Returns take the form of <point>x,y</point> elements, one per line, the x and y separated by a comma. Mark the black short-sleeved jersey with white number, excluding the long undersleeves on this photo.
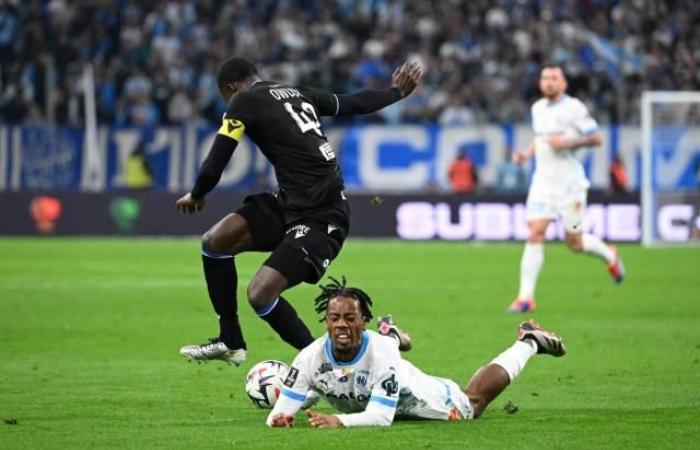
<point>283,121</point>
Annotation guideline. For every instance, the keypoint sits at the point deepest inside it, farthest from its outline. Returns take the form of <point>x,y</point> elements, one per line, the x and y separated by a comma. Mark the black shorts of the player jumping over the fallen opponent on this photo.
<point>301,250</point>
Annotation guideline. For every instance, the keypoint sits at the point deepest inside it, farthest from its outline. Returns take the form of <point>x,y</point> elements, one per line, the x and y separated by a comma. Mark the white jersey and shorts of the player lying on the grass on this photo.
<point>372,388</point>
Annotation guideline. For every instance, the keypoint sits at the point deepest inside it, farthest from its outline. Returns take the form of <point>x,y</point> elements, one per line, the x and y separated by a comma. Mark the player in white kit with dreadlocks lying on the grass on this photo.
<point>362,374</point>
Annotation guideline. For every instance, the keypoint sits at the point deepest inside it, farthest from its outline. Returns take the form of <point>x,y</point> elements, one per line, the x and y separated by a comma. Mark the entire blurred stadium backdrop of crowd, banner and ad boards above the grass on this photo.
<point>108,107</point>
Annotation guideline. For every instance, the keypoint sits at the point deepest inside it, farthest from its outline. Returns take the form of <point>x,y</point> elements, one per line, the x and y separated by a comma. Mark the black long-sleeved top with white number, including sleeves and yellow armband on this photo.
<point>283,122</point>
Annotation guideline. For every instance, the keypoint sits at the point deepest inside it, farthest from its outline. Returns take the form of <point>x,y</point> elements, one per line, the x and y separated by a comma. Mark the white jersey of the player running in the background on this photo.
<point>567,117</point>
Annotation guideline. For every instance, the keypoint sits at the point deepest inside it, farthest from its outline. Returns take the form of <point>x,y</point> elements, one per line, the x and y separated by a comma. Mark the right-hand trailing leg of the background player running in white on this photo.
<point>572,214</point>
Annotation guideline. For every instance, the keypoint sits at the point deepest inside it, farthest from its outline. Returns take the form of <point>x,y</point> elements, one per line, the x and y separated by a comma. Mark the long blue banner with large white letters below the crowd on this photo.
<point>408,158</point>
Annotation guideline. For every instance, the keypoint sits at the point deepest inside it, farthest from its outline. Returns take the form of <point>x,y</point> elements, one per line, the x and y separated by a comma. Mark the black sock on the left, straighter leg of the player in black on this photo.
<point>222,282</point>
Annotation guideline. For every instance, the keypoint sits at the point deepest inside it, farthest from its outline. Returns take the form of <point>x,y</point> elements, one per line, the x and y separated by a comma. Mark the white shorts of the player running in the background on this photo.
<point>547,203</point>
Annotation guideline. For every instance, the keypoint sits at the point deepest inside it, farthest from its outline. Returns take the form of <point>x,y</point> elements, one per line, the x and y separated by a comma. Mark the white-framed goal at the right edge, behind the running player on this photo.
<point>670,178</point>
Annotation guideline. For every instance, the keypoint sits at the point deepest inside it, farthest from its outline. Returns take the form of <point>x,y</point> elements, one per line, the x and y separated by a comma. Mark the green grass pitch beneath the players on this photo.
<point>90,331</point>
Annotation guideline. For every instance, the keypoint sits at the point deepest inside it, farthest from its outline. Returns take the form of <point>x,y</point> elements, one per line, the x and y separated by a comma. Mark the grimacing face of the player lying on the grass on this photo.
<point>345,323</point>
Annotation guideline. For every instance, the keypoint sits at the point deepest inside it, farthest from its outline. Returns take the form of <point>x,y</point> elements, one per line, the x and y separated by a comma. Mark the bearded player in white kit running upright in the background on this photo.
<point>559,186</point>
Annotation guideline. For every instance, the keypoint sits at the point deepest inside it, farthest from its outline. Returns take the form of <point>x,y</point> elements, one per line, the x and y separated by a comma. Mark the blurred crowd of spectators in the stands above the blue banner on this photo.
<point>155,61</point>
